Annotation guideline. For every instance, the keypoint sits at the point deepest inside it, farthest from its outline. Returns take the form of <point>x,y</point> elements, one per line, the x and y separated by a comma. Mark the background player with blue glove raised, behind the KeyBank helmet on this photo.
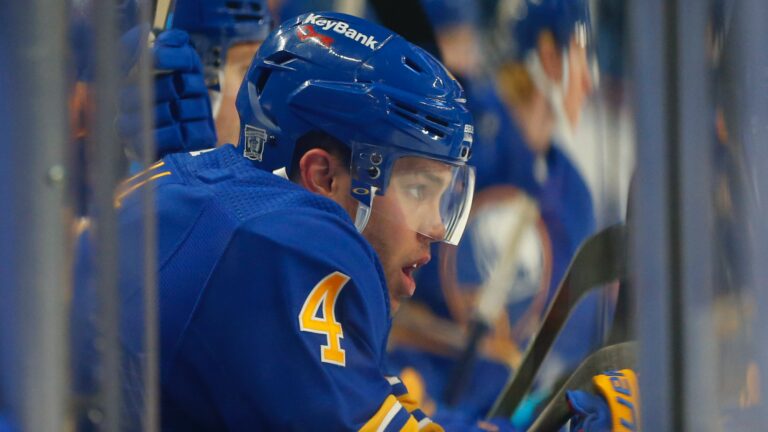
<point>200,63</point>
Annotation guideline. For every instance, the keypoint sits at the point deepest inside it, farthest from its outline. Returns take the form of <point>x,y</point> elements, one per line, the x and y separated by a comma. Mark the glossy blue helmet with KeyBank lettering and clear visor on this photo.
<point>387,100</point>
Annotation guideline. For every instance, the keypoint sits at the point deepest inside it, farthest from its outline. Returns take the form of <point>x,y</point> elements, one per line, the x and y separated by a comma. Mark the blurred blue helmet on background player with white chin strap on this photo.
<point>564,18</point>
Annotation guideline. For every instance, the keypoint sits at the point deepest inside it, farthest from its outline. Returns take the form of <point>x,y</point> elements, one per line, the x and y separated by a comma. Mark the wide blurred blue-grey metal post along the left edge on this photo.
<point>34,276</point>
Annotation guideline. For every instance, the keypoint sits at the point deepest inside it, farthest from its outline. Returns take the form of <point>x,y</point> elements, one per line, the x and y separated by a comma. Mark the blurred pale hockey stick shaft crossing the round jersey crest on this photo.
<point>493,296</point>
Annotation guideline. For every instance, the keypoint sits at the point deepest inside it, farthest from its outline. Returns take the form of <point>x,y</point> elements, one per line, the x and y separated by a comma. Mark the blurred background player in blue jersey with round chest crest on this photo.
<point>539,90</point>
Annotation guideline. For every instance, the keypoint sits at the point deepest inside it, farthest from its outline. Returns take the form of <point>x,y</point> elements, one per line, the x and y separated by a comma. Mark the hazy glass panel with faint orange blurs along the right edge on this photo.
<point>739,190</point>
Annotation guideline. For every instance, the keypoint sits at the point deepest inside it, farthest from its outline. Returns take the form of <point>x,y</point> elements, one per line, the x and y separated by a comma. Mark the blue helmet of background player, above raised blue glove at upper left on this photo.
<point>215,25</point>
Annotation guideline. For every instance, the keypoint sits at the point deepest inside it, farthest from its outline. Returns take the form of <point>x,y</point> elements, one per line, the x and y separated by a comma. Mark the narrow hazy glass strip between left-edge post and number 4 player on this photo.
<point>111,148</point>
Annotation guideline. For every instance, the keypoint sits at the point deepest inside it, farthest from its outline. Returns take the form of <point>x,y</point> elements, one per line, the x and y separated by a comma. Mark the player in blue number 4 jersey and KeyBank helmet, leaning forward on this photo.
<point>275,295</point>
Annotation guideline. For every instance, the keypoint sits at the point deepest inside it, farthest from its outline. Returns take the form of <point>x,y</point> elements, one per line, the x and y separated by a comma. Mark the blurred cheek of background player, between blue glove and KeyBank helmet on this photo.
<point>236,65</point>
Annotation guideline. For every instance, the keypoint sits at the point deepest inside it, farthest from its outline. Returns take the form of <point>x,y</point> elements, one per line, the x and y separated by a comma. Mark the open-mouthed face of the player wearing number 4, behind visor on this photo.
<point>405,220</point>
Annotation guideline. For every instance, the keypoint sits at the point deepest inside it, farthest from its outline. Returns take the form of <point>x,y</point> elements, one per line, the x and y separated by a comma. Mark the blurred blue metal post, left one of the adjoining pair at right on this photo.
<point>650,225</point>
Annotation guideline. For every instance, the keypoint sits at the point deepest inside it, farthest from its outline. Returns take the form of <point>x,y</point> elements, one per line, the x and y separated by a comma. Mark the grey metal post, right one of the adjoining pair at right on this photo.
<point>695,223</point>
